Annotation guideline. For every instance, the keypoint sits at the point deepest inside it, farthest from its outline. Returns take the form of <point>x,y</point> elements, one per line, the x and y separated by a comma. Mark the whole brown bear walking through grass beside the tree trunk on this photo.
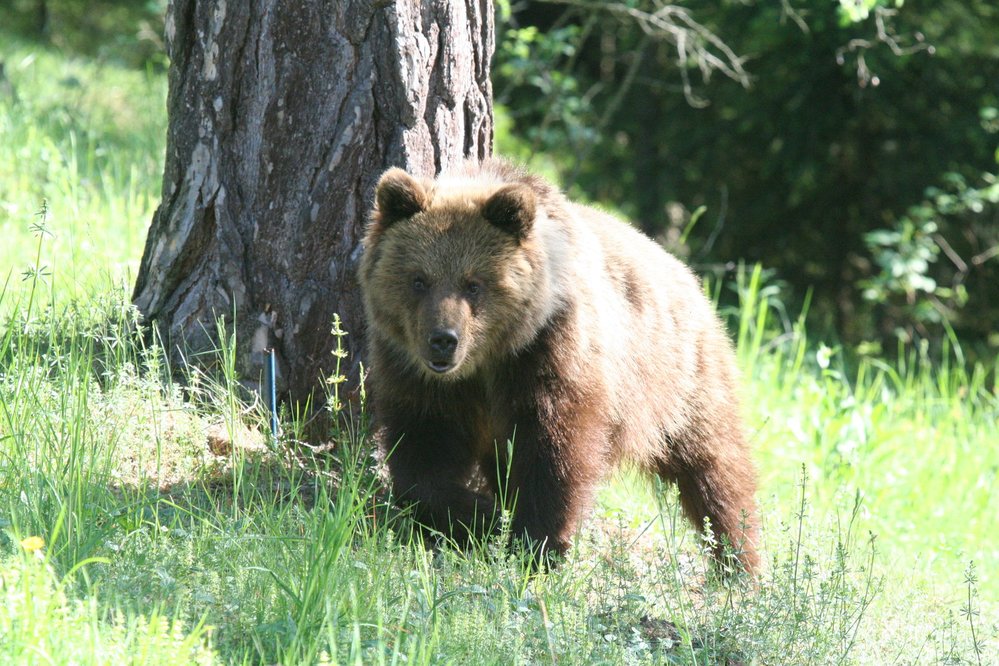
<point>499,311</point>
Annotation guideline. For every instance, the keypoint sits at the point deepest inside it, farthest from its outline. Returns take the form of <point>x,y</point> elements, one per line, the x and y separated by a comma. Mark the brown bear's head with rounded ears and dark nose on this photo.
<point>452,272</point>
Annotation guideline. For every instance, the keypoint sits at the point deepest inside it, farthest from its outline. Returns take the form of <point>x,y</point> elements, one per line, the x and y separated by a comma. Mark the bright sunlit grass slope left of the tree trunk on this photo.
<point>88,140</point>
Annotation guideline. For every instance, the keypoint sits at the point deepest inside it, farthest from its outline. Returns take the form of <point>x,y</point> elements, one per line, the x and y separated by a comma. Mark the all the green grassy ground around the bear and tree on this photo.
<point>169,530</point>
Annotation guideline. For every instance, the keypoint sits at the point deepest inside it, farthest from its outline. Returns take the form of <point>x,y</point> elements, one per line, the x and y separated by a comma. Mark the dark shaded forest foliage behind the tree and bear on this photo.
<point>849,147</point>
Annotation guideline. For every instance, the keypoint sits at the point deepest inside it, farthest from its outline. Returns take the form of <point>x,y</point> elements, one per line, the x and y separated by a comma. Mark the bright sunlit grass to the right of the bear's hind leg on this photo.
<point>915,439</point>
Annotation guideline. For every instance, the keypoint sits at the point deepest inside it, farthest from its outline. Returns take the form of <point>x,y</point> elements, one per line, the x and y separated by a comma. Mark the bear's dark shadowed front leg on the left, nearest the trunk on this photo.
<point>431,465</point>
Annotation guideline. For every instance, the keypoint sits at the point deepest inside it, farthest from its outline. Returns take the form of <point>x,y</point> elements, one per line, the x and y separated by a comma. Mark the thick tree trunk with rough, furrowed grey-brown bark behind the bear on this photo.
<point>281,117</point>
